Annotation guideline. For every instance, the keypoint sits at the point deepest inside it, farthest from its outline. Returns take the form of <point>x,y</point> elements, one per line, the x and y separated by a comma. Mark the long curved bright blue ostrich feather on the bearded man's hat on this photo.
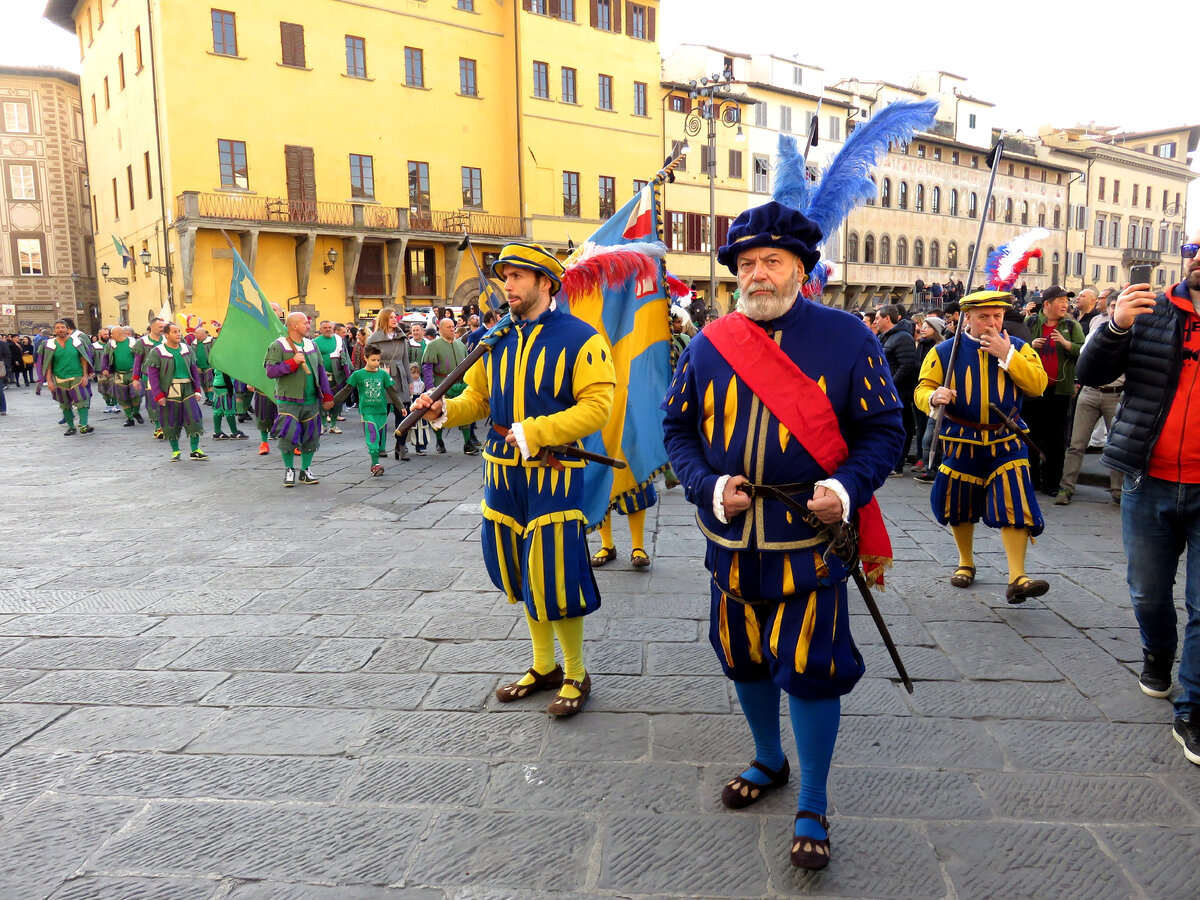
<point>847,182</point>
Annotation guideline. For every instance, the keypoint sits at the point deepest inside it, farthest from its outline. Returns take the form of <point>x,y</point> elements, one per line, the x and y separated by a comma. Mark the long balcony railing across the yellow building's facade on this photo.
<point>279,211</point>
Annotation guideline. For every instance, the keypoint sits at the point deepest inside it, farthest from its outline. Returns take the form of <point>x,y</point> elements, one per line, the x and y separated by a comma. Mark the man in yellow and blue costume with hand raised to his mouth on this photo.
<point>986,469</point>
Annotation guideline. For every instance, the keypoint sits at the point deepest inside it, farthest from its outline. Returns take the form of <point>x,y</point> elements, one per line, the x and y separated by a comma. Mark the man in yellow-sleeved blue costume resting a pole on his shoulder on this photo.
<point>550,376</point>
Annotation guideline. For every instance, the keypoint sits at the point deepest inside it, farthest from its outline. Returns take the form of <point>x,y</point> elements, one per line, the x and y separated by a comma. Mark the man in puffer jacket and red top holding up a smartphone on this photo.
<point>1155,343</point>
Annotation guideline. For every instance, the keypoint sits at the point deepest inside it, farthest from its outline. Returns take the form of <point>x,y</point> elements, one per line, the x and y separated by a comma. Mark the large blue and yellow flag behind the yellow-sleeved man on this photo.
<point>634,319</point>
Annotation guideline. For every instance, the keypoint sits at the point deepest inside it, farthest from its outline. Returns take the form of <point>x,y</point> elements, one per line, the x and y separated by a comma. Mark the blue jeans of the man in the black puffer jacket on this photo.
<point>1161,520</point>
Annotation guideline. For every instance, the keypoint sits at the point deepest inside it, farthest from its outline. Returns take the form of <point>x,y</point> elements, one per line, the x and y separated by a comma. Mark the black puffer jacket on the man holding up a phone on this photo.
<point>1150,357</point>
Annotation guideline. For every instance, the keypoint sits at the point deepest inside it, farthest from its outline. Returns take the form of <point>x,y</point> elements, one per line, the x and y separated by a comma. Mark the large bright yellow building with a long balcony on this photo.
<point>345,148</point>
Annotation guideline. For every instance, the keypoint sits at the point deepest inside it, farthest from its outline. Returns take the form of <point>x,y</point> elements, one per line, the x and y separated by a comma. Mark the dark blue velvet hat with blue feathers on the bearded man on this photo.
<point>803,214</point>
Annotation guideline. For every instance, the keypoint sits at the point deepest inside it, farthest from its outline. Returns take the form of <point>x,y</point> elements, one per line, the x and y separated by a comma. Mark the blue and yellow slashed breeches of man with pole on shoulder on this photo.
<point>535,538</point>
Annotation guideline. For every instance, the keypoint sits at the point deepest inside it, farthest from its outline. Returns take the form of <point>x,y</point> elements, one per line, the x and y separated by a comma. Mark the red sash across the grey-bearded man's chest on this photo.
<point>805,410</point>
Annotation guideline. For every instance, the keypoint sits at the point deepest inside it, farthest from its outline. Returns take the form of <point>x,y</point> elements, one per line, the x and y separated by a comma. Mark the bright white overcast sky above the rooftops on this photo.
<point>1042,63</point>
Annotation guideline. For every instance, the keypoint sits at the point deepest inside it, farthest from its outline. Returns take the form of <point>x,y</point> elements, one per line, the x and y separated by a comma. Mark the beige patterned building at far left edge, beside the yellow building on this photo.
<point>47,261</point>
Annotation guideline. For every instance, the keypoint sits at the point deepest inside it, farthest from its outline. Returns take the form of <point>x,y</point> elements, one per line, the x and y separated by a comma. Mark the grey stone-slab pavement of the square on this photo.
<point>215,688</point>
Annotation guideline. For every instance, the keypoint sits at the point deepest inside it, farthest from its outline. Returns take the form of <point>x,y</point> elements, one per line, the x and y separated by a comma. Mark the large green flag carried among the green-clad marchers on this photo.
<point>249,328</point>
